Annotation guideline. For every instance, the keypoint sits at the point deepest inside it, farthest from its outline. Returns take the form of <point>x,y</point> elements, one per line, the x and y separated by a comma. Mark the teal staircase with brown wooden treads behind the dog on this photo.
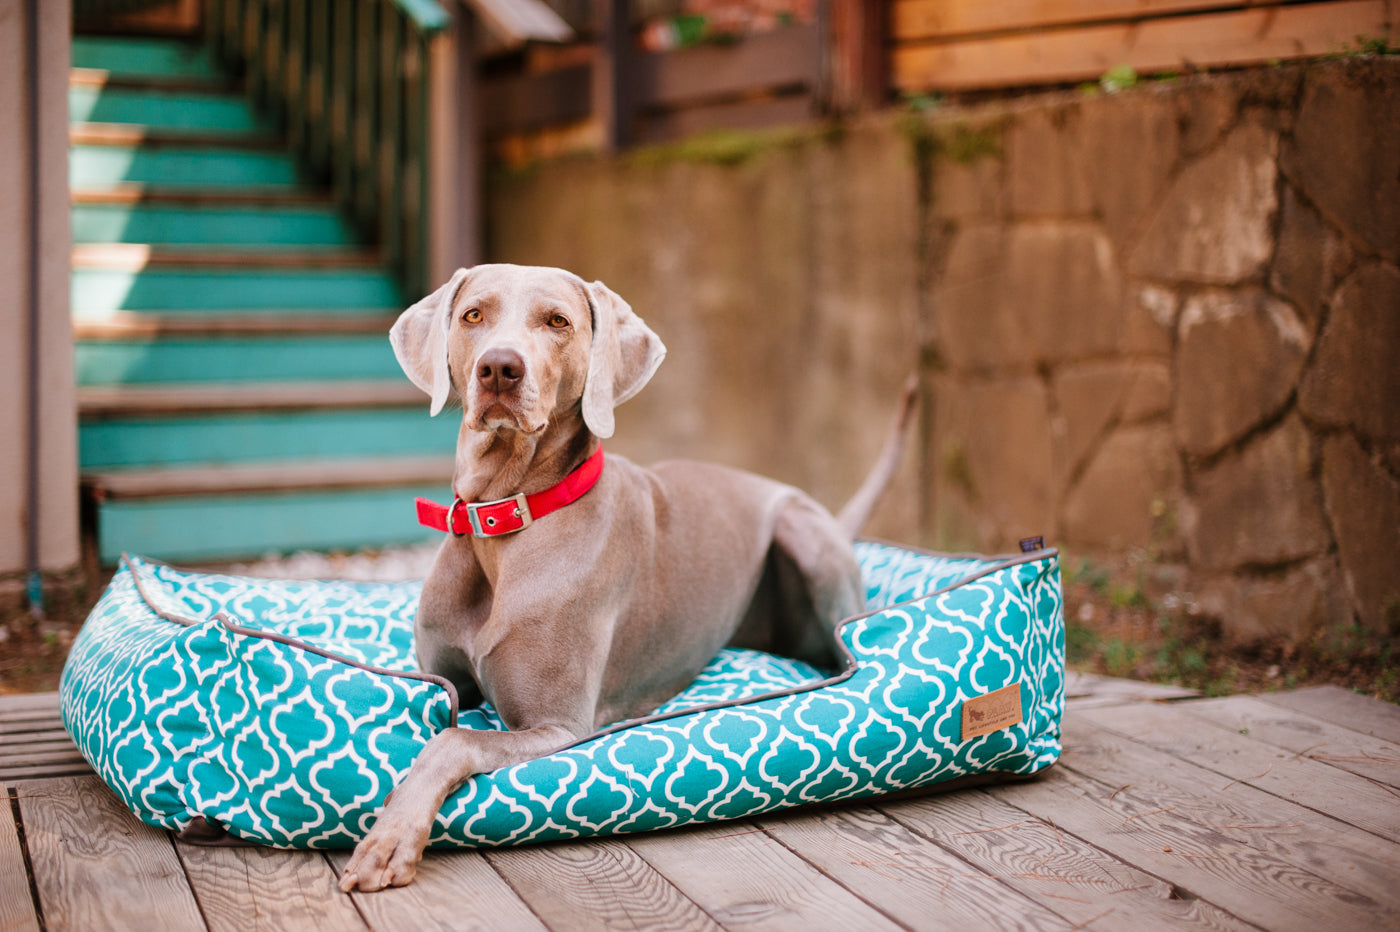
<point>237,390</point>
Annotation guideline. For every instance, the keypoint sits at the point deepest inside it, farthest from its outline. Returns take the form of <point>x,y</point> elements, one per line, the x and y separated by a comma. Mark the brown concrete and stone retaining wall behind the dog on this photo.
<point>1158,327</point>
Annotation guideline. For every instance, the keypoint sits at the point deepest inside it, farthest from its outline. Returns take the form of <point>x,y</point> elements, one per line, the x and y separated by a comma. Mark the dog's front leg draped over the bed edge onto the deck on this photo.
<point>390,854</point>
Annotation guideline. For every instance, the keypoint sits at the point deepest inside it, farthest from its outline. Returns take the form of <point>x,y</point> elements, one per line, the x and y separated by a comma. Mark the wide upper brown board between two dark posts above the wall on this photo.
<point>785,58</point>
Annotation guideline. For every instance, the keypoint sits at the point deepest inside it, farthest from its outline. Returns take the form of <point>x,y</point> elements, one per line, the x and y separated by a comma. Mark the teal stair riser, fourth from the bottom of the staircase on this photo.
<point>99,290</point>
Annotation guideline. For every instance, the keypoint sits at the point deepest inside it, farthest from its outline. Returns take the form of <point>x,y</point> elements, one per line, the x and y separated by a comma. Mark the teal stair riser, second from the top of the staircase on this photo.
<point>166,110</point>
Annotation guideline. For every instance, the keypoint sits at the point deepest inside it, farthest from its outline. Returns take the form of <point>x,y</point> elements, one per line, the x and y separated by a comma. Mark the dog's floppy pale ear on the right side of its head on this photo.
<point>624,358</point>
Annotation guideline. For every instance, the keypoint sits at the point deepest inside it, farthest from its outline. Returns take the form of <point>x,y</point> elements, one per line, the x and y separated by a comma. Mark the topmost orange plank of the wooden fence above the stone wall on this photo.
<point>946,19</point>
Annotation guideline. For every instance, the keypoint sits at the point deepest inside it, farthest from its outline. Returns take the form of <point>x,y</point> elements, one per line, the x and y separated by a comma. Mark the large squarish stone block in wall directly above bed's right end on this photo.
<point>990,450</point>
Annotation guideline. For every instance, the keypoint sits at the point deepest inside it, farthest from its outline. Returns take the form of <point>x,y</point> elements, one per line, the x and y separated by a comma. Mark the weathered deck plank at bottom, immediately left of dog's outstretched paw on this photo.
<point>243,889</point>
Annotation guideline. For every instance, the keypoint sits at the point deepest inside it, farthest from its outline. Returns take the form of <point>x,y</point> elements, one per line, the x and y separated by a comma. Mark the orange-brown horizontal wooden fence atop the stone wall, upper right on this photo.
<point>958,45</point>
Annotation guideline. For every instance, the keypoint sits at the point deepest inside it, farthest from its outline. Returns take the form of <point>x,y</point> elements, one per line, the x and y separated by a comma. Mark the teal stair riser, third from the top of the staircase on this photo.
<point>101,167</point>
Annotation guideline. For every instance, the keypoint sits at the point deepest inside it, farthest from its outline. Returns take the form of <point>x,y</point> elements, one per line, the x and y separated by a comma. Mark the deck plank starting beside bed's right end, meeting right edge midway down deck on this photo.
<point>1361,803</point>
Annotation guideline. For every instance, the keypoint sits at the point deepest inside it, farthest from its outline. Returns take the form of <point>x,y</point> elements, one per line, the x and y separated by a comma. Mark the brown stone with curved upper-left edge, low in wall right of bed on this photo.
<point>1128,496</point>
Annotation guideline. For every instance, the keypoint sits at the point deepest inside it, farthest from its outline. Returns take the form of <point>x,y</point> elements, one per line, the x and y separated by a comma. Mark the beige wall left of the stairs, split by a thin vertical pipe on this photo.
<point>58,443</point>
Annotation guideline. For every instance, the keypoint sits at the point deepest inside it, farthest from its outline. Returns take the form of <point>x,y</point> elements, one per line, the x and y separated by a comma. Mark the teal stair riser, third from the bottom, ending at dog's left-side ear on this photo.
<point>276,359</point>
